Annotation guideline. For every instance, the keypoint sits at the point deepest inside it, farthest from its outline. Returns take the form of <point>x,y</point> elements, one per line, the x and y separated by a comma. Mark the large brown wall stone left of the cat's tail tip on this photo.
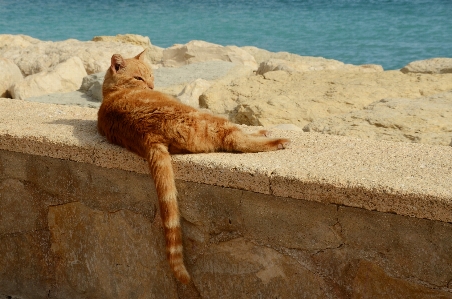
<point>110,255</point>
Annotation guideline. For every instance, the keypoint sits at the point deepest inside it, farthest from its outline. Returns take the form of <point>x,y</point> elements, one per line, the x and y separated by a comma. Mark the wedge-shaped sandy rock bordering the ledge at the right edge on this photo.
<point>421,120</point>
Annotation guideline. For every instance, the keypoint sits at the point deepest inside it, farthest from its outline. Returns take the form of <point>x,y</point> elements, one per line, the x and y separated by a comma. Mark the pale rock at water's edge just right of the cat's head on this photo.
<point>198,51</point>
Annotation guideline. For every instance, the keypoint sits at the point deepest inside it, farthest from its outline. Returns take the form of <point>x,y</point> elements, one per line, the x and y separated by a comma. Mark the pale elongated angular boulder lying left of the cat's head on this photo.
<point>65,77</point>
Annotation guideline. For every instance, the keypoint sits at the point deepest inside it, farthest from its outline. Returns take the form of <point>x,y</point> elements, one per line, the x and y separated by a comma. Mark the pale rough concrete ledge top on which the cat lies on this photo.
<point>402,178</point>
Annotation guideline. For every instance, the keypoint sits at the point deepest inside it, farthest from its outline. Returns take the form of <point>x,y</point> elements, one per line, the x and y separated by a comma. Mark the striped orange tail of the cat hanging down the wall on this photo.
<point>162,171</point>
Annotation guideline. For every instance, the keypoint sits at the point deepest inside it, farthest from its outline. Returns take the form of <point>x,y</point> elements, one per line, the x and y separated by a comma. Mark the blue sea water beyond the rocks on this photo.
<point>389,33</point>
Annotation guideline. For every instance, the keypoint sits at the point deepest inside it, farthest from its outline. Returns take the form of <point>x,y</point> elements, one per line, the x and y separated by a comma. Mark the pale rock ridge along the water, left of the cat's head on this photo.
<point>36,56</point>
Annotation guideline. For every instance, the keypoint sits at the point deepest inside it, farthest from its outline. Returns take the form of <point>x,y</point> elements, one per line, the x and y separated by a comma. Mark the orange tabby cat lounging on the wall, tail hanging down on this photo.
<point>154,125</point>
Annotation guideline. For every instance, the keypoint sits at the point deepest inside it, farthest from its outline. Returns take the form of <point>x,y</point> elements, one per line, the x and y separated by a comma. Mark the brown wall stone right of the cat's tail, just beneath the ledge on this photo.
<point>227,213</point>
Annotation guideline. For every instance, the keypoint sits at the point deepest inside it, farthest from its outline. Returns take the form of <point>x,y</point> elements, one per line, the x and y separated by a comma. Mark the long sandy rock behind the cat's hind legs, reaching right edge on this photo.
<point>300,98</point>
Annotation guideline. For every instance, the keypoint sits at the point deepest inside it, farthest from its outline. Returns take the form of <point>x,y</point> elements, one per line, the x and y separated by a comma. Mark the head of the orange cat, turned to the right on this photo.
<point>129,73</point>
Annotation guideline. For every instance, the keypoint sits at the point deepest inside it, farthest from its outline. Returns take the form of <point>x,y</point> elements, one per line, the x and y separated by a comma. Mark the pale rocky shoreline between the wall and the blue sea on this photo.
<point>247,85</point>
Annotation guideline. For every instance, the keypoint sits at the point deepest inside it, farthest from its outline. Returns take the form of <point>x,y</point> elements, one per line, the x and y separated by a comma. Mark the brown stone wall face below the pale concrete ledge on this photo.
<point>76,230</point>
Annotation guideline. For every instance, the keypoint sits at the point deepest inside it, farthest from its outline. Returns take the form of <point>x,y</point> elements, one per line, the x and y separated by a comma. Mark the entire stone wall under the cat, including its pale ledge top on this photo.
<point>329,217</point>
